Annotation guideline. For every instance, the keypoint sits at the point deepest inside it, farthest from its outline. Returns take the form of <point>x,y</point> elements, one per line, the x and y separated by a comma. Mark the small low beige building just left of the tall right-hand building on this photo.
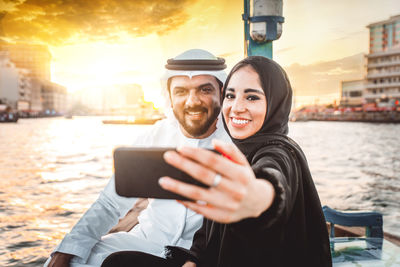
<point>352,93</point>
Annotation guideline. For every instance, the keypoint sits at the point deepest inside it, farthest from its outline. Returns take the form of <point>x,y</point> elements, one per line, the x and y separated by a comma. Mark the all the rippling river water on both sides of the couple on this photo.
<point>52,169</point>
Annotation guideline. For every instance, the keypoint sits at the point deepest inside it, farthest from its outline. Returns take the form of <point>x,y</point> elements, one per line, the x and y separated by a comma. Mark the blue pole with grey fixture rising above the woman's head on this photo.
<point>262,26</point>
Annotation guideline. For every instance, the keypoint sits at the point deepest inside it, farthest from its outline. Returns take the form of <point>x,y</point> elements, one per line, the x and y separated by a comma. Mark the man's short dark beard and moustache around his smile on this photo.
<point>197,128</point>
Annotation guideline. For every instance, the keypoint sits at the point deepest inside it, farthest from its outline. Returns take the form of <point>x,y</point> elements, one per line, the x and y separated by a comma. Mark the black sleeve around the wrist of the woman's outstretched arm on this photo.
<point>278,165</point>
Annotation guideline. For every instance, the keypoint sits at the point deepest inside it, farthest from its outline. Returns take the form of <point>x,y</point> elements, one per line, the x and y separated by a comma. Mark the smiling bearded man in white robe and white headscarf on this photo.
<point>193,83</point>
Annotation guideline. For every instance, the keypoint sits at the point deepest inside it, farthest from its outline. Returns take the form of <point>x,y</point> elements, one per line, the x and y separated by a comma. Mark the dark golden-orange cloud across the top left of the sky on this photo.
<point>68,22</point>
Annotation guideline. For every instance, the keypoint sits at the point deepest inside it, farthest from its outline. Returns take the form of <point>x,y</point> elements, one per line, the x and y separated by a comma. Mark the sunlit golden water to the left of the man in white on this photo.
<point>51,170</point>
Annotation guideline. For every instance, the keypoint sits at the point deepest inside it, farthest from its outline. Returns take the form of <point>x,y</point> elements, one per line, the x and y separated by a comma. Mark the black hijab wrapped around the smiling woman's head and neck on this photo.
<point>278,93</point>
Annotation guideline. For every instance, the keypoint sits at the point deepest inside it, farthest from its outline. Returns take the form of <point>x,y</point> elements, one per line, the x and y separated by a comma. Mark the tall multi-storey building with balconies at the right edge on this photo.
<point>383,67</point>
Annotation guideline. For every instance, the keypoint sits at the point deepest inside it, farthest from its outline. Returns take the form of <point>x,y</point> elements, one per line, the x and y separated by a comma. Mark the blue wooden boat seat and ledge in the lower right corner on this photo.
<point>357,239</point>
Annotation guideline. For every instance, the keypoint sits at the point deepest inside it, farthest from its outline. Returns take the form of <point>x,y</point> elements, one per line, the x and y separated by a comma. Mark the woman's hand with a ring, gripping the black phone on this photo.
<point>238,195</point>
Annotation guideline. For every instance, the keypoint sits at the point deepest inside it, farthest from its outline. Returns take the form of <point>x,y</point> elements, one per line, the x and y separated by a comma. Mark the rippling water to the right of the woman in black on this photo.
<point>355,165</point>
